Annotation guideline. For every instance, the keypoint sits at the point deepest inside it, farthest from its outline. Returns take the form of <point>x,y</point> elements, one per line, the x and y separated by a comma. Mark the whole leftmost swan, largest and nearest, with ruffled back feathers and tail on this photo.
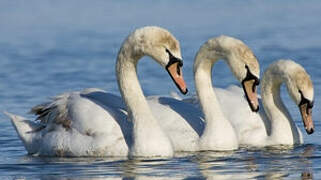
<point>94,123</point>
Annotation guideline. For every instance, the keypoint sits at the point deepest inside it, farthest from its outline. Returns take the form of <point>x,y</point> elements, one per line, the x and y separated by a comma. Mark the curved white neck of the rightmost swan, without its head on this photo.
<point>283,129</point>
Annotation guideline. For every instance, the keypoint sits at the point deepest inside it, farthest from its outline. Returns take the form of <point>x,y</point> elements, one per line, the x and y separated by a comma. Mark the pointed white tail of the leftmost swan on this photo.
<point>27,130</point>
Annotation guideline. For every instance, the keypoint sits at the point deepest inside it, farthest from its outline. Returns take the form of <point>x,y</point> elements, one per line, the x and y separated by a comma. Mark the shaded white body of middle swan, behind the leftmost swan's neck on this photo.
<point>181,121</point>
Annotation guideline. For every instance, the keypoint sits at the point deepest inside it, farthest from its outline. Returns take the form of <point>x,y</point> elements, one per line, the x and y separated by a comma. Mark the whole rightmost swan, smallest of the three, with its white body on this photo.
<point>274,125</point>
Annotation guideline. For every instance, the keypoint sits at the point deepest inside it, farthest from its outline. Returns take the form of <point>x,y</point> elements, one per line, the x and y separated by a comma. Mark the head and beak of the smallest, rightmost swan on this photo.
<point>300,88</point>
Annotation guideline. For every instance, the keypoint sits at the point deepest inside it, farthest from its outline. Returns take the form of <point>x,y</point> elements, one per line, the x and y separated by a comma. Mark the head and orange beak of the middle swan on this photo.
<point>244,66</point>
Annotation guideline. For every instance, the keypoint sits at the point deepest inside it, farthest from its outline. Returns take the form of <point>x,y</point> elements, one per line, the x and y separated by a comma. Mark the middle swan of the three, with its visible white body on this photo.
<point>218,133</point>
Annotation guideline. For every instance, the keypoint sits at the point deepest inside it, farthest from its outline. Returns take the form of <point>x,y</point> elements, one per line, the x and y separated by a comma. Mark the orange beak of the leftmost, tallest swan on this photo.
<point>175,71</point>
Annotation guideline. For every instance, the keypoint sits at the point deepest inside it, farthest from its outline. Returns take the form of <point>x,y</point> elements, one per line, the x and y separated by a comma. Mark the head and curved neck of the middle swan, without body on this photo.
<point>219,132</point>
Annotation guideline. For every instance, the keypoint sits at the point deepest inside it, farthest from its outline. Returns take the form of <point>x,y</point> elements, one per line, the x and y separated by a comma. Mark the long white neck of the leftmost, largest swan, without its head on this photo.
<point>148,138</point>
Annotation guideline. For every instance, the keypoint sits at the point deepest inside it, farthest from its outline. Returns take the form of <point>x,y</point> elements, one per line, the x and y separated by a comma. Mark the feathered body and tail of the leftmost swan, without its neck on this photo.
<point>77,124</point>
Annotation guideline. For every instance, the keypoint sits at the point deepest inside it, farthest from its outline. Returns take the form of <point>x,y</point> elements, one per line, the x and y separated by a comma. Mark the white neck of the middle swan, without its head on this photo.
<point>218,128</point>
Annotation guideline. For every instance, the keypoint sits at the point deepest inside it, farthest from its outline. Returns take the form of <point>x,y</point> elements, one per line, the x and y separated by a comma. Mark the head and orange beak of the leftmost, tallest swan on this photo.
<point>163,47</point>
